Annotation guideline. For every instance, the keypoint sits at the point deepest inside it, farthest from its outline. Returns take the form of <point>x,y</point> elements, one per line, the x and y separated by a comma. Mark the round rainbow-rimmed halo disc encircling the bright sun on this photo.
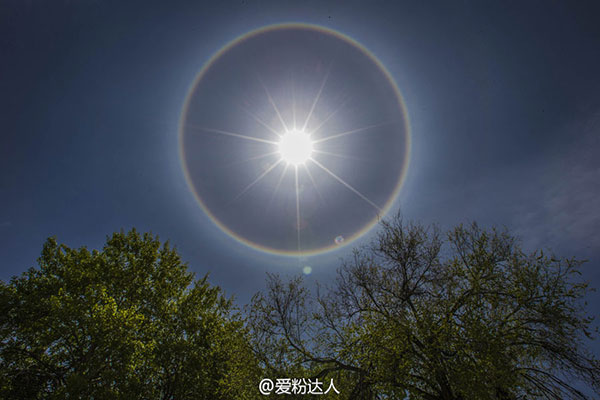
<point>200,128</point>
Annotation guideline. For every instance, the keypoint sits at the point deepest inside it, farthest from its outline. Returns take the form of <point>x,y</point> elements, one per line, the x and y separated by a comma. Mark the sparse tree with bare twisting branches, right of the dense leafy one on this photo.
<point>422,316</point>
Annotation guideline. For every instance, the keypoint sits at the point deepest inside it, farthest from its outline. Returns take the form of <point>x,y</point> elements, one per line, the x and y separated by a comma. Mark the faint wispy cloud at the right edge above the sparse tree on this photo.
<point>565,210</point>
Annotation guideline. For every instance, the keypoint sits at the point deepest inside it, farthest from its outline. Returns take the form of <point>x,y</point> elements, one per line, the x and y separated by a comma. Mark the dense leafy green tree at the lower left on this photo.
<point>127,322</point>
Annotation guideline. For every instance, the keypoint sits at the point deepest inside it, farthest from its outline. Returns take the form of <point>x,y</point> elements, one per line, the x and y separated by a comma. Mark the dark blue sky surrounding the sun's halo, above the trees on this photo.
<point>503,100</point>
